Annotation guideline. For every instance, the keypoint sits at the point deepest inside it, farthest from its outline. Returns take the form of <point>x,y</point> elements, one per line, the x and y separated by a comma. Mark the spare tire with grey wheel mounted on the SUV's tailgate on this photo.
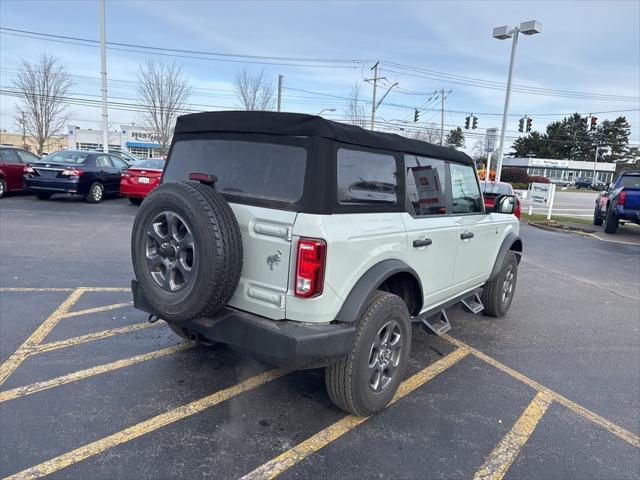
<point>186,250</point>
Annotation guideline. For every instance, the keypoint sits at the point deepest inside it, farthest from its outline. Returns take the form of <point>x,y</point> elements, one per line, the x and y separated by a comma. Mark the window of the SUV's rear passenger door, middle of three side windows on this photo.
<point>426,186</point>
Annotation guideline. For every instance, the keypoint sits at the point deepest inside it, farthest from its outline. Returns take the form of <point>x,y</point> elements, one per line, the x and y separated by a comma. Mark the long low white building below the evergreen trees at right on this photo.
<point>567,170</point>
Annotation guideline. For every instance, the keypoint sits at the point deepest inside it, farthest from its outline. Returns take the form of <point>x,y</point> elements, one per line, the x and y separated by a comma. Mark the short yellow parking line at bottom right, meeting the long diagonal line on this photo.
<point>501,458</point>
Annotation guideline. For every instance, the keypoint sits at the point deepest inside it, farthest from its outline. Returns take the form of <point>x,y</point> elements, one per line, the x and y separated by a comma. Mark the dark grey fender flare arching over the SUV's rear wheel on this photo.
<point>356,301</point>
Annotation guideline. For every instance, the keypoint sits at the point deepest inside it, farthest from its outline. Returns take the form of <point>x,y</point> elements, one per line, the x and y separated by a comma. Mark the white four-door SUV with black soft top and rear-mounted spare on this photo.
<point>310,243</point>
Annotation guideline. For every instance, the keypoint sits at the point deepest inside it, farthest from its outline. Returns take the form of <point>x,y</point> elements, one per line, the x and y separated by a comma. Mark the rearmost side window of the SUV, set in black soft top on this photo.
<point>366,178</point>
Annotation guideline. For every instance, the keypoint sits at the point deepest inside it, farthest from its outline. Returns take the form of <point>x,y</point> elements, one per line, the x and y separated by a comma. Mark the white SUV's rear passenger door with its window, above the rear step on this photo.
<point>432,232</point>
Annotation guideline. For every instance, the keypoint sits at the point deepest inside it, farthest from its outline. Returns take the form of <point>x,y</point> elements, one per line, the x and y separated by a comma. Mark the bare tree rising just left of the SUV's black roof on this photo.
<point>163,92</point>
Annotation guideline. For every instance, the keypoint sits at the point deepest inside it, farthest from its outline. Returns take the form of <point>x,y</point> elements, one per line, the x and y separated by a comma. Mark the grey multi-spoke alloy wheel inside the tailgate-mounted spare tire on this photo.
<point>170,251</point>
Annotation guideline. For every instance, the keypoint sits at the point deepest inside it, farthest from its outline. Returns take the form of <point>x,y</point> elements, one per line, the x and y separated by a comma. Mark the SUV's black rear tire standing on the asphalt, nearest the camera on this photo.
<point>349,381</point>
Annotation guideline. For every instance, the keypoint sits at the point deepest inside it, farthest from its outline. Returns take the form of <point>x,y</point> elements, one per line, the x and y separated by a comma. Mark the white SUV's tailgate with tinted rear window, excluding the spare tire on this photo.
<point>261,181</point>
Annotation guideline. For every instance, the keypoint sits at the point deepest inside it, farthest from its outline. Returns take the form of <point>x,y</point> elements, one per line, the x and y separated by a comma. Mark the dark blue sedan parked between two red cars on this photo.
<point>90,174</point>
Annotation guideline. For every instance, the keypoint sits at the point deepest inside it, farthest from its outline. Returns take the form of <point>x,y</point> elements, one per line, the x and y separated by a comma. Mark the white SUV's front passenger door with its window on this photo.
<point>478,236</point>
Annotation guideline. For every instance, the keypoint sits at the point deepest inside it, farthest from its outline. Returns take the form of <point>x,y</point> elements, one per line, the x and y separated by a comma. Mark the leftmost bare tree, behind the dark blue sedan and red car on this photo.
<point>41,88</point>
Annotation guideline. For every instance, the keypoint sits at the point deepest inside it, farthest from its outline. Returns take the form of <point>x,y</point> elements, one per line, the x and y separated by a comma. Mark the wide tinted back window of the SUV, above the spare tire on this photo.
<point>254,169</point>
